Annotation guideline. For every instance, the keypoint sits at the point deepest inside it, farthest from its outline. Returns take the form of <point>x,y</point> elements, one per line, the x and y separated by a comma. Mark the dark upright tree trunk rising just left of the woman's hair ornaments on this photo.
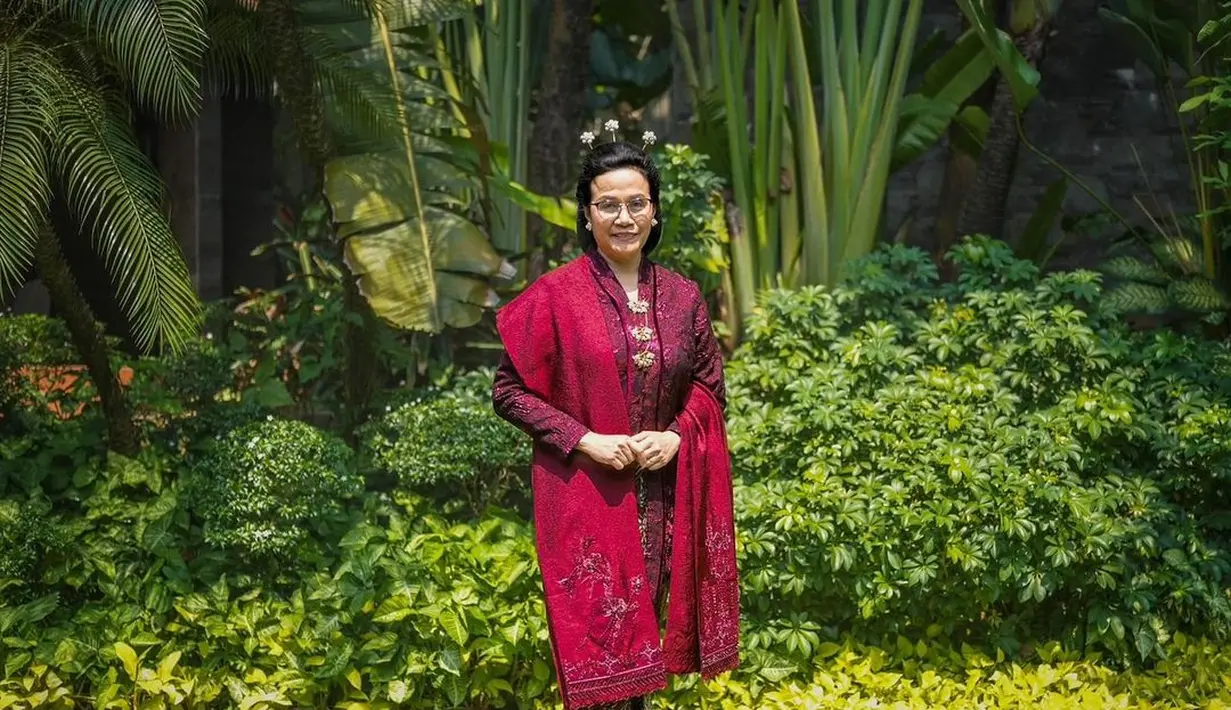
<point>561,104</point>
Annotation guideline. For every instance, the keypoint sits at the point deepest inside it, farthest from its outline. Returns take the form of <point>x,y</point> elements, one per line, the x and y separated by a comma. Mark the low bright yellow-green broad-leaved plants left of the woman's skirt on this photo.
<point>409,611</point>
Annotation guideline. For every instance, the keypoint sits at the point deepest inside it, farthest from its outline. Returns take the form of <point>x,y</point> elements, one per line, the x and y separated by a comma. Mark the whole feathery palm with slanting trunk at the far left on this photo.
<point>71,166</point>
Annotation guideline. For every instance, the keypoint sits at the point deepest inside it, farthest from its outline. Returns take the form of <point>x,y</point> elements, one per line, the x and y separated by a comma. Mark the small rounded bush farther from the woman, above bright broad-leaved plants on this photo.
<point>264,487</point>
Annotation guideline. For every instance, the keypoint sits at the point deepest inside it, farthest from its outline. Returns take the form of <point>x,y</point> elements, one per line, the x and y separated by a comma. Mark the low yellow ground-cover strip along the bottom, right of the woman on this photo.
<point>923,676</point>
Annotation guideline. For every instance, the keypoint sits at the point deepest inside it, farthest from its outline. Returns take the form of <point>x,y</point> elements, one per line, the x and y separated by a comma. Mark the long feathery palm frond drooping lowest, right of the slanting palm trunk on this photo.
<point>115,194</point>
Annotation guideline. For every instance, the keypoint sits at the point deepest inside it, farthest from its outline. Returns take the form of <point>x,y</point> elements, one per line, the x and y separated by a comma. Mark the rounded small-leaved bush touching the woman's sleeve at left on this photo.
<point>445,441</point>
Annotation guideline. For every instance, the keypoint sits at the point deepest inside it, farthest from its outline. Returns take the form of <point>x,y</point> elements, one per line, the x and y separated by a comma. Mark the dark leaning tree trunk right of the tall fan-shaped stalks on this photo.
<point>984,210</point>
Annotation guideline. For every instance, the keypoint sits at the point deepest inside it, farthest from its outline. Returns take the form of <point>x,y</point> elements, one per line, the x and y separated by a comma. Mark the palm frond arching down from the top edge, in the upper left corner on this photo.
<point>156,45</point>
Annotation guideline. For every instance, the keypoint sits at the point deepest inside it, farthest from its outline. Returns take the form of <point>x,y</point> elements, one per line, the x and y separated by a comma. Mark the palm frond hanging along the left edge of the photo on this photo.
<point>25,191</point>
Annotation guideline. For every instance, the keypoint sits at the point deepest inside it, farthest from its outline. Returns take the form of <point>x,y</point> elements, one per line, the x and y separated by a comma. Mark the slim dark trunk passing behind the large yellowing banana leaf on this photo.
<point>303,100</point>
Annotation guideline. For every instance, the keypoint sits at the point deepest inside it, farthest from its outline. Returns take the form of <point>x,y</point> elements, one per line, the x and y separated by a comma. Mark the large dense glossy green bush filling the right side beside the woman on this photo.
<point>995,456</point>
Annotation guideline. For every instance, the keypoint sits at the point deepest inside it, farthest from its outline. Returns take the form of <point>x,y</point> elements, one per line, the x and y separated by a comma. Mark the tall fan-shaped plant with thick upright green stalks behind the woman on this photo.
<point>809,184</point>
